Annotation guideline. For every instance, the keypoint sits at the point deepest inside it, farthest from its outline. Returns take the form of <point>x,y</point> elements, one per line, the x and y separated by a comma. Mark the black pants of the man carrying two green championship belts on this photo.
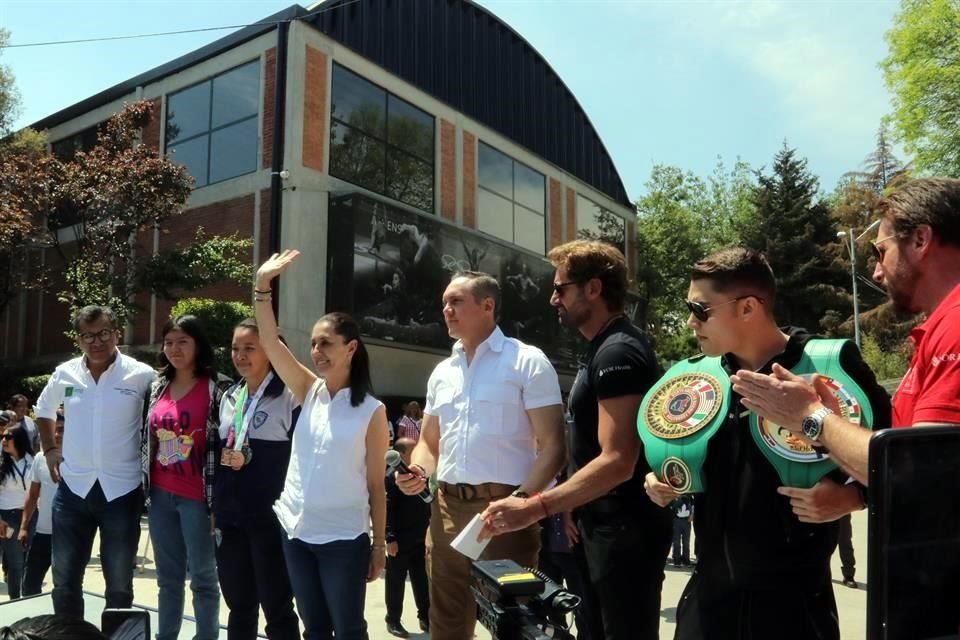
<point>710,613</point>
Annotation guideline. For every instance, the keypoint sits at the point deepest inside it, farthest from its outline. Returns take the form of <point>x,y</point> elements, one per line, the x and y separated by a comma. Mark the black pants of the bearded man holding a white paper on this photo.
<point>624,557</point>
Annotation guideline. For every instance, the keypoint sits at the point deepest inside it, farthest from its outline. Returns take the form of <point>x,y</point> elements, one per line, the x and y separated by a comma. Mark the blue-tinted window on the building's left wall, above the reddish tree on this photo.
<point>212,126</point>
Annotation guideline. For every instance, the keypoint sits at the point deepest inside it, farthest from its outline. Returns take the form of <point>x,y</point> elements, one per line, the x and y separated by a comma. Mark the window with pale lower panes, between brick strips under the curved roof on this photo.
<point>512,200</point>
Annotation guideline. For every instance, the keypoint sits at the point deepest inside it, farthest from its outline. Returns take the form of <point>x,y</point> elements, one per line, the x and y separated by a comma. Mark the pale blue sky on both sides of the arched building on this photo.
<point>663,82</point>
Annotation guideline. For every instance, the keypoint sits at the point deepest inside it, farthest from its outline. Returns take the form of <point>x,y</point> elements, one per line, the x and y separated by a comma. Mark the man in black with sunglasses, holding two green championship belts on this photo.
<point>763,559</point>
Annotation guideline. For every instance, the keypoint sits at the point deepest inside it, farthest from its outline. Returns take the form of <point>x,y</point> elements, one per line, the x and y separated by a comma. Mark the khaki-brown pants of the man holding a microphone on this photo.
<point>453,612</point>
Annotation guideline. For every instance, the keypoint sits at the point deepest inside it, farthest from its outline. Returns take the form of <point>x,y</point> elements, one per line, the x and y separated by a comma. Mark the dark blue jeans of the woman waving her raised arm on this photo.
<point>330,585</point>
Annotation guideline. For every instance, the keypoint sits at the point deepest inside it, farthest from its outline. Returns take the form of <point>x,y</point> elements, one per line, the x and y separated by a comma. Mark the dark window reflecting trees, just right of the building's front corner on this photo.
<point>380,142</point>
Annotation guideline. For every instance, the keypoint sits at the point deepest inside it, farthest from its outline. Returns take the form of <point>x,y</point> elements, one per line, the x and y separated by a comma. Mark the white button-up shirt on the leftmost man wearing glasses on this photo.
<point>102,421</point>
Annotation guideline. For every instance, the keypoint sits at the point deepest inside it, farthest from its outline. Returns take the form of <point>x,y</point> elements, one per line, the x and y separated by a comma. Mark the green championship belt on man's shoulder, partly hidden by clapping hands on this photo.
<point>798,463</point>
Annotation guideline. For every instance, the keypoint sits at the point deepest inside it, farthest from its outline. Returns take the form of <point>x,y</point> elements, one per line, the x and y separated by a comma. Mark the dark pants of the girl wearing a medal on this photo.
<point>253,573</point>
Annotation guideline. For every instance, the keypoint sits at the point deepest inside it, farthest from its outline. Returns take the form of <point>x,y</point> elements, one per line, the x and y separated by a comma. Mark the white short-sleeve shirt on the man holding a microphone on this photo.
<point>485,432</point>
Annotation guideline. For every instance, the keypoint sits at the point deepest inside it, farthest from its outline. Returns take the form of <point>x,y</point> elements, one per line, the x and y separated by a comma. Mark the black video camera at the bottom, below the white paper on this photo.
<point>516,603</point>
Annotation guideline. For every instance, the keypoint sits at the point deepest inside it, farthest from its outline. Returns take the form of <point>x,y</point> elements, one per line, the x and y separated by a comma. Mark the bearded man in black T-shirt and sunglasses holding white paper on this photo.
<point>625,538</point>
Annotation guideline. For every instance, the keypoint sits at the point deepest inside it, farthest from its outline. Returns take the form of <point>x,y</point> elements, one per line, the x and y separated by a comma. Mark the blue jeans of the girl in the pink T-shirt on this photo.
<point>181,535</point>
